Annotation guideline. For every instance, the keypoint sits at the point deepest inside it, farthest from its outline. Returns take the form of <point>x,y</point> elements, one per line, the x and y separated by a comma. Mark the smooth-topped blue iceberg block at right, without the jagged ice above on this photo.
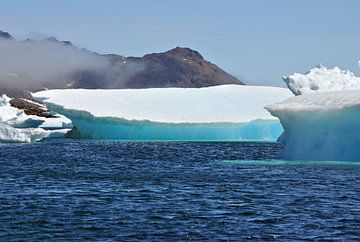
<point>321,126</point>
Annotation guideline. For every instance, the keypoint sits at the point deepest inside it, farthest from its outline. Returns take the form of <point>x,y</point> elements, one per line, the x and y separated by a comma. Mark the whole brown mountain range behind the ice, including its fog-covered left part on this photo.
<point>60,64</point>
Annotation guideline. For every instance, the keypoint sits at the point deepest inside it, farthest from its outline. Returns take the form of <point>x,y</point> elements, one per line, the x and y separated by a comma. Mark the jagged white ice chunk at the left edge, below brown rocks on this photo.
<point>17,126</point>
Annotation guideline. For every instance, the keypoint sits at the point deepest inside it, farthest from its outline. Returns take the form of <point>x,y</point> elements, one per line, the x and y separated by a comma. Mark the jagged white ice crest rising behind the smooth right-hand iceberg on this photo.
<point>321,79</point>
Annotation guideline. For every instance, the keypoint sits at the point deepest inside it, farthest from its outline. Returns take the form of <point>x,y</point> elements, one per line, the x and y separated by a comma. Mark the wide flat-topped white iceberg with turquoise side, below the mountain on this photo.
<point>227,112</point>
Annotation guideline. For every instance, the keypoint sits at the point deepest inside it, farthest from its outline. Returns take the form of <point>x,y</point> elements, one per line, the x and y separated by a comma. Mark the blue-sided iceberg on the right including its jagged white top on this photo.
<point>322,125</point>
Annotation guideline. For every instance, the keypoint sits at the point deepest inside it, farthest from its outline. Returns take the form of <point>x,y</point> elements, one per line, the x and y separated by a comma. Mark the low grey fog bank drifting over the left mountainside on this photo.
<point>34,65</point>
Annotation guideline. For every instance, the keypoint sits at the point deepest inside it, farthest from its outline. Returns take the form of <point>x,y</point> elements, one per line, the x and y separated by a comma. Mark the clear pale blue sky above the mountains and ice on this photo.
<point>257,41</point>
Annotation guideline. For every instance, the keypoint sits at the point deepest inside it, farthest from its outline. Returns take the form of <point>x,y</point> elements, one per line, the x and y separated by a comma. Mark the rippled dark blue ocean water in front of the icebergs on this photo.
<point>83,190</point>
